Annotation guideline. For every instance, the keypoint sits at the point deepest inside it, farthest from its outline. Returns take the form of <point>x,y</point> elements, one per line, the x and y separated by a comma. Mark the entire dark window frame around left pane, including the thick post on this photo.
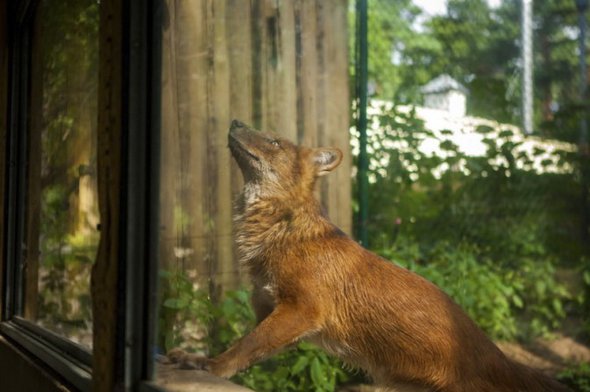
<point>129,106</point>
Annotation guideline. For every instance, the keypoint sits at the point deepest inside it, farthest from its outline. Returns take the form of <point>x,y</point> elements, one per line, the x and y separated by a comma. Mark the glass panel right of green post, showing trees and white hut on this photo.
<point>478,165</point>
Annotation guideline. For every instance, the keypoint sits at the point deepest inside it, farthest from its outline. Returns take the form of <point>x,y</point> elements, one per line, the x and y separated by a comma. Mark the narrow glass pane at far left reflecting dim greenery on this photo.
<point>62,209</point>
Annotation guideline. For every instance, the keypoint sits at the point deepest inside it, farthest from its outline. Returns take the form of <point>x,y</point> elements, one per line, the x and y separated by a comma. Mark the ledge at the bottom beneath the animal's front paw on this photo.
<point>172,379</point>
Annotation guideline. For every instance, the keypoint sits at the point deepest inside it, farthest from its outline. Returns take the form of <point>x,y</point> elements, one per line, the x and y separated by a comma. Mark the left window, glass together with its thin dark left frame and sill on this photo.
<point>53,220</point>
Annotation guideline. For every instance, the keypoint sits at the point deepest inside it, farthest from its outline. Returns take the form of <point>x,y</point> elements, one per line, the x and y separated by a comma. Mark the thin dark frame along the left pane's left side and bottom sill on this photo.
<point>64,357</point>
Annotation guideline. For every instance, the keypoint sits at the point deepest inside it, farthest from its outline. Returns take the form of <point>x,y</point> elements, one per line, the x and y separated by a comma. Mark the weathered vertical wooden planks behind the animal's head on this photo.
<point>277,65</point>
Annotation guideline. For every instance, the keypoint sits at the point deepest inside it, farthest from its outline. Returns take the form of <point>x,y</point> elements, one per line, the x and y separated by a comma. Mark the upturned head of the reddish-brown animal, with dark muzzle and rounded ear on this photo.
<point>273,165</point>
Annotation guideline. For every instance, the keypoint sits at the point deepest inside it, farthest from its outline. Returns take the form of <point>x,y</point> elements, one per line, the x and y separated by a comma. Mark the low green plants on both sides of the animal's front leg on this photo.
<point>302,368</point>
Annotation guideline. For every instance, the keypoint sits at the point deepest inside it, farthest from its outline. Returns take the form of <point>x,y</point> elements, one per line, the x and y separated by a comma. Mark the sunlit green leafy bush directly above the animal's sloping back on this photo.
<point>506,304</point>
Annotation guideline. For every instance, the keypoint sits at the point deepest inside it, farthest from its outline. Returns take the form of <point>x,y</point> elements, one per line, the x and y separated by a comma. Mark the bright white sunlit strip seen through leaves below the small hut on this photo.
<point>532,153</point>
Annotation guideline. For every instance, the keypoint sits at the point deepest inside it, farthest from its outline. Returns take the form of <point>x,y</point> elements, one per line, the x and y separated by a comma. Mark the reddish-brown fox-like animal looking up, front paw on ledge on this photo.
<point>313,282</point>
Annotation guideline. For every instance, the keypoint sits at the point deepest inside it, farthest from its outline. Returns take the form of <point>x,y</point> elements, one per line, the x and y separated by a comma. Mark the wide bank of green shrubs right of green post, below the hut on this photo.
<point>488,229</point>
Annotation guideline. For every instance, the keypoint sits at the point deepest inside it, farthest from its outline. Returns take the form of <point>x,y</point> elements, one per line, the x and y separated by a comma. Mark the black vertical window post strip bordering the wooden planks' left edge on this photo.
<point>142,186</point>
